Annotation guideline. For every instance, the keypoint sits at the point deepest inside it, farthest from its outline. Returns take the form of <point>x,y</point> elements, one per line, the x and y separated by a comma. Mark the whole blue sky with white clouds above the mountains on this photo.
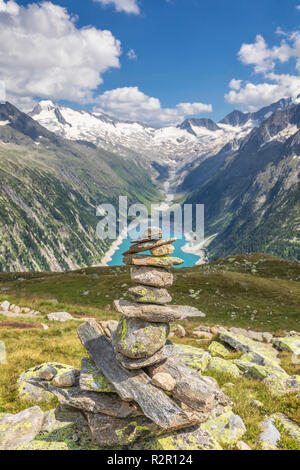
<point>184,54</point>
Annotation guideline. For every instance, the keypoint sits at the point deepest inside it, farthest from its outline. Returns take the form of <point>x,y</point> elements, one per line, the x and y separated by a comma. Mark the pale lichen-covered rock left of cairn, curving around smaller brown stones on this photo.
<point>27,391</point>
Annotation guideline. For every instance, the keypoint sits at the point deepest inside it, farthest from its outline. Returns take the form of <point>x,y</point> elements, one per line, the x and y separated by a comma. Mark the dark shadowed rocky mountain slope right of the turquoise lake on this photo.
<point>252,197</point>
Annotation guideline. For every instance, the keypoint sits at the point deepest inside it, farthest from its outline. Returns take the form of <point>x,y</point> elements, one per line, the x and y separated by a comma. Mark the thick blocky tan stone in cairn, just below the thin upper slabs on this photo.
<point>155,277</point>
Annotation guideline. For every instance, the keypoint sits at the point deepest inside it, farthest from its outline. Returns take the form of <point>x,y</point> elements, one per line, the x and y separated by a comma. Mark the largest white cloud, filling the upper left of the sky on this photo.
<point>44,54</point>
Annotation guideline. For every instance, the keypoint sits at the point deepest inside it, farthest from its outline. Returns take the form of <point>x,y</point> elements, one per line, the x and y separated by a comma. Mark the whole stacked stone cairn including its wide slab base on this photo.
<point>133,385</point>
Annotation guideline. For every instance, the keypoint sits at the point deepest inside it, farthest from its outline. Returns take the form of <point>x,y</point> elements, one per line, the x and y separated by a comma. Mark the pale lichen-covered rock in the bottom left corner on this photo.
<point>20,429</point>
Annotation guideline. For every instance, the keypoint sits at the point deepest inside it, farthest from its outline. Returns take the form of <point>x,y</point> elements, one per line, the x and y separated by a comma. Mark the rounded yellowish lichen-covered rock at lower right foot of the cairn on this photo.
<point>227,428</point>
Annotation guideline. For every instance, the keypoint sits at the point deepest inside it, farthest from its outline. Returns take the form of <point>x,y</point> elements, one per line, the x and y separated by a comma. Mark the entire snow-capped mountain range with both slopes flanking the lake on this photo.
<point>57,164</point>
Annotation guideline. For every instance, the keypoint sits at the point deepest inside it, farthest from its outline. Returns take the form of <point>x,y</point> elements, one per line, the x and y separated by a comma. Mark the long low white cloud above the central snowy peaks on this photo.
<point>132,104</point>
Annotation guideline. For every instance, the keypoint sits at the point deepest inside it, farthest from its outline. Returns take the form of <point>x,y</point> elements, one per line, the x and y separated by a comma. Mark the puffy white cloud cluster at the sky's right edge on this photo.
<point>264,59</point>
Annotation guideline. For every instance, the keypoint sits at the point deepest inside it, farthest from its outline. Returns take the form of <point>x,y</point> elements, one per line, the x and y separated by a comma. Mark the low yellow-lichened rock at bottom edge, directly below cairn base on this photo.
<point>188,439</point>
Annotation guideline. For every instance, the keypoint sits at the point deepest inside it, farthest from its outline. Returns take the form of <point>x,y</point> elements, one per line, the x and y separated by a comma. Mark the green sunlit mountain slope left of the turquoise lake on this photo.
<point>50,188</point>
